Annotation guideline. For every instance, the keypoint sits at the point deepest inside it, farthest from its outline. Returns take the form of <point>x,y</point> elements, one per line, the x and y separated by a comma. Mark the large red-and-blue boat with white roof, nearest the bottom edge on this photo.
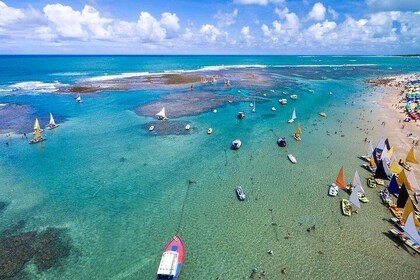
<point>172,260</point>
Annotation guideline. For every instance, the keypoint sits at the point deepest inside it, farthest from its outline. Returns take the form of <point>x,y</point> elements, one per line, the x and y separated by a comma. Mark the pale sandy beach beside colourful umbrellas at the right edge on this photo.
<point>402,135</point>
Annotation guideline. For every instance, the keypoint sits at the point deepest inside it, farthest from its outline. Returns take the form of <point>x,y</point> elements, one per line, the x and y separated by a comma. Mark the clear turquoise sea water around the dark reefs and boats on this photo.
<point>122,193</point>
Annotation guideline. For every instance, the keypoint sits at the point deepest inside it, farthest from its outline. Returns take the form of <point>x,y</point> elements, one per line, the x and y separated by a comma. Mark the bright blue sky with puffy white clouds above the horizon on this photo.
<point>277,27</point>
